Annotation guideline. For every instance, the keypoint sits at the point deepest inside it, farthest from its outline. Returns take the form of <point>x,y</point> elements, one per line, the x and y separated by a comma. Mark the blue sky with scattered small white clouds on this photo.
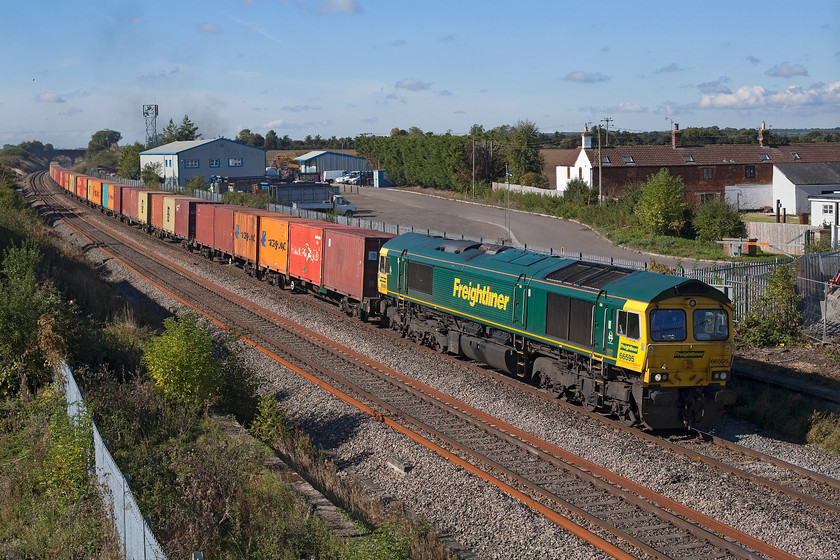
<point>348,67</point>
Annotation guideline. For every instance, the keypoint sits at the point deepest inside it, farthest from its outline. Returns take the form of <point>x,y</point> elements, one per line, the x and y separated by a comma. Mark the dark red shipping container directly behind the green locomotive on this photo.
<point>351,261</point>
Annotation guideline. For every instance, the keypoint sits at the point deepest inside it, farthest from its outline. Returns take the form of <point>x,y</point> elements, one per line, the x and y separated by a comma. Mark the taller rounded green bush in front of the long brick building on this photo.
<point>661,209</point>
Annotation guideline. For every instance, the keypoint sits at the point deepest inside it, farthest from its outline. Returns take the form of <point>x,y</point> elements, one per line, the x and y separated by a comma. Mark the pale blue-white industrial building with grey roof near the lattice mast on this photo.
<point>181,161</point>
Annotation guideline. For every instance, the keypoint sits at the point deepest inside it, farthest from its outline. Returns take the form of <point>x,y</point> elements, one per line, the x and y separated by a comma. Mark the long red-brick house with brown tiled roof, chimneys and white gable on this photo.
<point>743,173</point>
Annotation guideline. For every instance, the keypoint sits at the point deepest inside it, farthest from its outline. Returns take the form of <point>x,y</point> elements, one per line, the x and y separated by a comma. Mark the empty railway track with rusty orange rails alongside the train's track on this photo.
<point>559,485</point>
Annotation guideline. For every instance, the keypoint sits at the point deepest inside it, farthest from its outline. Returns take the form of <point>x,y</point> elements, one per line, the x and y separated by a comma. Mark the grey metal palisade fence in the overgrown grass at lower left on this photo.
<point>136,538</point>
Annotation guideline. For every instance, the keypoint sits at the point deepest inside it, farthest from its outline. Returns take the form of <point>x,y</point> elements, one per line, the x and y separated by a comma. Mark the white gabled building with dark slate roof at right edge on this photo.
<point>793,183</point>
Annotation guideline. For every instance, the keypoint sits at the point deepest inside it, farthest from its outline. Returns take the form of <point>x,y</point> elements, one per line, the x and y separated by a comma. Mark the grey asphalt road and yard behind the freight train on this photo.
<point>477,221</point>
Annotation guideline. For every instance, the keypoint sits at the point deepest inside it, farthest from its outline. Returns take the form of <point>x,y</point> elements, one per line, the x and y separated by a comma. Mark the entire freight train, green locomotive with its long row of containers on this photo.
<point>655,350</point>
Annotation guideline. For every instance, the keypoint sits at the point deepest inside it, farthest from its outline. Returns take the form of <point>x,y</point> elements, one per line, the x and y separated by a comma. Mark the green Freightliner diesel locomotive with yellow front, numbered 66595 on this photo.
<point>653,349</point>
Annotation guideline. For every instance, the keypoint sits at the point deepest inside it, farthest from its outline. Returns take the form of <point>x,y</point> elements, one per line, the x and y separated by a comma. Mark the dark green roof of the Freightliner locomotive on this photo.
<point>591,277</point>
